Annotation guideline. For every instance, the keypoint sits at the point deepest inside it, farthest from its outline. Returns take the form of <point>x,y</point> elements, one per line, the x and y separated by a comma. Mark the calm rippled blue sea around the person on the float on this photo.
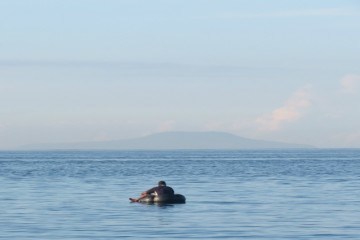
<point>252,194</point>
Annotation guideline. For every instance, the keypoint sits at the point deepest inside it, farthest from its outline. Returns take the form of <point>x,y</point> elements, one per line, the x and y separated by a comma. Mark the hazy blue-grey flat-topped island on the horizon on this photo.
<point>173,141</point>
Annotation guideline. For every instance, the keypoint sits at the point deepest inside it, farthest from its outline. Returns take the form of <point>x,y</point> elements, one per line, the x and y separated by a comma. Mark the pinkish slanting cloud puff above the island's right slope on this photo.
<point>291,111</point>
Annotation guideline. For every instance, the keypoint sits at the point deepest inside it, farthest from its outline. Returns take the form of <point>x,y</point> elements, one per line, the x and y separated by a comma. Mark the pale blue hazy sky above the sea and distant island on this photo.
<point>96,70</point>
